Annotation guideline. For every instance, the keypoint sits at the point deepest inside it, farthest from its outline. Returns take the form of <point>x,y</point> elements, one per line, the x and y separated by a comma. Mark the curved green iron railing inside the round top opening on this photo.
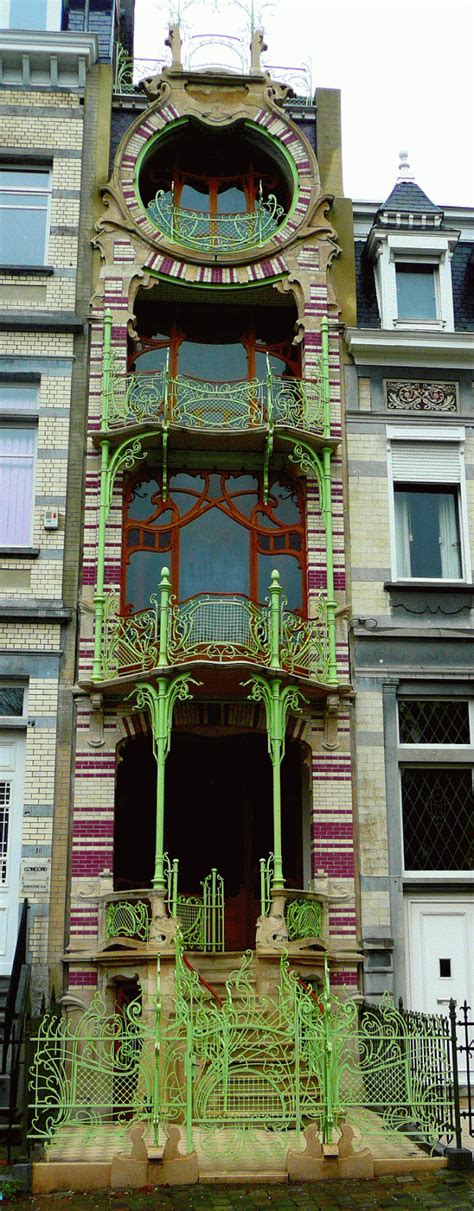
<point>216,233</point>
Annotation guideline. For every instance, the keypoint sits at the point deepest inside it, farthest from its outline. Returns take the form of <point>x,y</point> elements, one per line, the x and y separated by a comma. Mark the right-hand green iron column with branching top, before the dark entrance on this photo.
<point>278,703</point>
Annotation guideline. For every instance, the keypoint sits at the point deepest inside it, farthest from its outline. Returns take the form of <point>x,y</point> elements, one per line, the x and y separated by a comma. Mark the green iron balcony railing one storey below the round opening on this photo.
<point>238,406</point>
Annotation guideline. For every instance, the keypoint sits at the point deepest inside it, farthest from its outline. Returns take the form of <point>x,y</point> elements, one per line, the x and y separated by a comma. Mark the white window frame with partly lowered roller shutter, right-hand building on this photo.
<point>444,437</point>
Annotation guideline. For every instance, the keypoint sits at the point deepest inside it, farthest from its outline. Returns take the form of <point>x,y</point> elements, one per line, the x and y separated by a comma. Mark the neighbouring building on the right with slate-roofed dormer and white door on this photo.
<point>412,461</point>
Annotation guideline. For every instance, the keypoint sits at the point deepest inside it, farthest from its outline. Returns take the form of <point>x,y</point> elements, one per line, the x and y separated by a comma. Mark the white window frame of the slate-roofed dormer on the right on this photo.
<point>433,249</point>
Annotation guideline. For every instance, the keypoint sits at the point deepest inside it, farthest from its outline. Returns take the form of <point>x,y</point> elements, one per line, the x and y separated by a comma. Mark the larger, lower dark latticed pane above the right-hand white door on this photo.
<point>438,808</point>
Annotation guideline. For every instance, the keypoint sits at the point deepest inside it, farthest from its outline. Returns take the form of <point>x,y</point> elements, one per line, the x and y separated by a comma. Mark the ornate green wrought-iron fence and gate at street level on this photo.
<point>275,1063</point>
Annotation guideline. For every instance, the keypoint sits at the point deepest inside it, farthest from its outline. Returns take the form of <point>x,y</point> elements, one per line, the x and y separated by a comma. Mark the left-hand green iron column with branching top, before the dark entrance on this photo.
<point>159,701</point>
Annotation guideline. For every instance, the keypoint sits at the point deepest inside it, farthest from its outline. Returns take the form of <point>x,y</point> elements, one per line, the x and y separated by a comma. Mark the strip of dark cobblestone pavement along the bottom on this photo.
<point>444,1192</point>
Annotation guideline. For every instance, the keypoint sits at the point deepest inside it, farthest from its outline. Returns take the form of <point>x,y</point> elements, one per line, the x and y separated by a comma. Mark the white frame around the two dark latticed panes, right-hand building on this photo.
<point>412,756</point>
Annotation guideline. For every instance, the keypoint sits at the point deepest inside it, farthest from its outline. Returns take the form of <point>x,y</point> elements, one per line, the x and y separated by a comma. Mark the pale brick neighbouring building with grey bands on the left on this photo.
<point>50,120</point>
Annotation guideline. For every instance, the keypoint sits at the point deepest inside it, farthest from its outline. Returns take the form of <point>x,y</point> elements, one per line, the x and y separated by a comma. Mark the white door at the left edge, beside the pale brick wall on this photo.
<point>12,811</point>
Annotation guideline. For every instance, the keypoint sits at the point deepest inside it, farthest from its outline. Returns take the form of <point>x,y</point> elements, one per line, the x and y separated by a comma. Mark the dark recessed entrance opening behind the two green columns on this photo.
<point>219,814</point>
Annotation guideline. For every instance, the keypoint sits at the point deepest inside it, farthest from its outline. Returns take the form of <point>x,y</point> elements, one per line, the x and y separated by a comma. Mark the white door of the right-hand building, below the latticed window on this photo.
<point>442,955</point>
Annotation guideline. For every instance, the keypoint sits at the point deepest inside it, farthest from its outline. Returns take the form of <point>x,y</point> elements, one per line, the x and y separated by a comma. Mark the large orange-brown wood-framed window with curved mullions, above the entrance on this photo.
<point>216,535</point>
